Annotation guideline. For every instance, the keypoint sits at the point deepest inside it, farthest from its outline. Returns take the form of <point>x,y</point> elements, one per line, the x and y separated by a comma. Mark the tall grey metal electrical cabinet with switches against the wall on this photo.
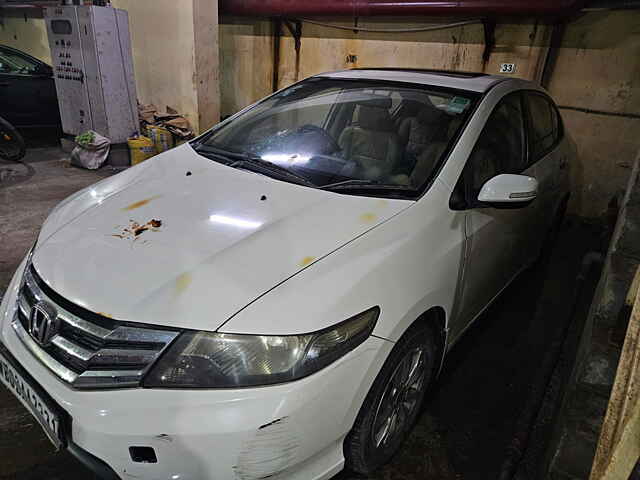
<point>93,70</point>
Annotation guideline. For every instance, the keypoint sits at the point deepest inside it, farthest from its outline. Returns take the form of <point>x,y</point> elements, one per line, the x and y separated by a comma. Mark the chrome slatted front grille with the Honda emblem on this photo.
<point>89,350</point>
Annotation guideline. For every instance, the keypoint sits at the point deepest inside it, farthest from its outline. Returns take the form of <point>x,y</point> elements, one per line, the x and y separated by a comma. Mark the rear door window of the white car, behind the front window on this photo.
<point>544,128</point>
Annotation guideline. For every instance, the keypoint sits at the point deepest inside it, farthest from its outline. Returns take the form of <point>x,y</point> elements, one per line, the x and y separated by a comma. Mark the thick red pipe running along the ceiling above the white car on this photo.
<point>365,8</point>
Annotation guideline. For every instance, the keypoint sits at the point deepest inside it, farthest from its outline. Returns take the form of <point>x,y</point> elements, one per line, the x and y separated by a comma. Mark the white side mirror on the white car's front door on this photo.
<point>509,190</point>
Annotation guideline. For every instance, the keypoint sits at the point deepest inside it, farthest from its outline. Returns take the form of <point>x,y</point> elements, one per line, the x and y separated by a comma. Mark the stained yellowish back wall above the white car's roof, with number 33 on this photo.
<point>247,52</point>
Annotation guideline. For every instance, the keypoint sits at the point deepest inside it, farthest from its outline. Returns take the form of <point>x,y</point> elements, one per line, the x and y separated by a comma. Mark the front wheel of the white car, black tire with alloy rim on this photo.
<point>365,448</point>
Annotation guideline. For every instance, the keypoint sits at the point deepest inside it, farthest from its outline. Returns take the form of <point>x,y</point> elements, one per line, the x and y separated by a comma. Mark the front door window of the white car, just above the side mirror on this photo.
<point>501,146</point>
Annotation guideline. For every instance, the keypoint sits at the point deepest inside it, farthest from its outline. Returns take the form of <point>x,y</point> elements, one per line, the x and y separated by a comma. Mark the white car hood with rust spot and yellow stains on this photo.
<point>184,241</point>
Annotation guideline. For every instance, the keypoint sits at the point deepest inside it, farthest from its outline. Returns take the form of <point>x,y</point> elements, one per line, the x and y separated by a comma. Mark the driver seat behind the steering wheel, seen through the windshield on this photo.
<point>372,142</point>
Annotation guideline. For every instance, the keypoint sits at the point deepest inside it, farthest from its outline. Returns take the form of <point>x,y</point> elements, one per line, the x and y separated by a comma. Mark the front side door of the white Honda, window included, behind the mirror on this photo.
<point>495,237</point>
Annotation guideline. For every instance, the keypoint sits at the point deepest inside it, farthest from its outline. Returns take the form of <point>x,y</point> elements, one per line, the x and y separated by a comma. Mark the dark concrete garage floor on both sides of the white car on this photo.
<point>468,418</point>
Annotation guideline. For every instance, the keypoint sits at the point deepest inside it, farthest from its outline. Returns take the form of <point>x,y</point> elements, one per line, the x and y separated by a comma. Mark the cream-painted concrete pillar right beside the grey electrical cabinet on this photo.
<point>175,56</point>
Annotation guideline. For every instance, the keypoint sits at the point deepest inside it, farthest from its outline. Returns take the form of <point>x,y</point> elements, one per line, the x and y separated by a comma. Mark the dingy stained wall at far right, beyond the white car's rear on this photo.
<point>598,68</point>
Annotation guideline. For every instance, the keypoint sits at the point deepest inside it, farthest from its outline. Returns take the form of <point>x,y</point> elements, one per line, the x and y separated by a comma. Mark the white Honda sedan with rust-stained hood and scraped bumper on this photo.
<point>273,299</point>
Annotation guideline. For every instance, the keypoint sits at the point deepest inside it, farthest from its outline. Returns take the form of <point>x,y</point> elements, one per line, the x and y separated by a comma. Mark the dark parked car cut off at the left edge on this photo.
<point>27,90</point>
